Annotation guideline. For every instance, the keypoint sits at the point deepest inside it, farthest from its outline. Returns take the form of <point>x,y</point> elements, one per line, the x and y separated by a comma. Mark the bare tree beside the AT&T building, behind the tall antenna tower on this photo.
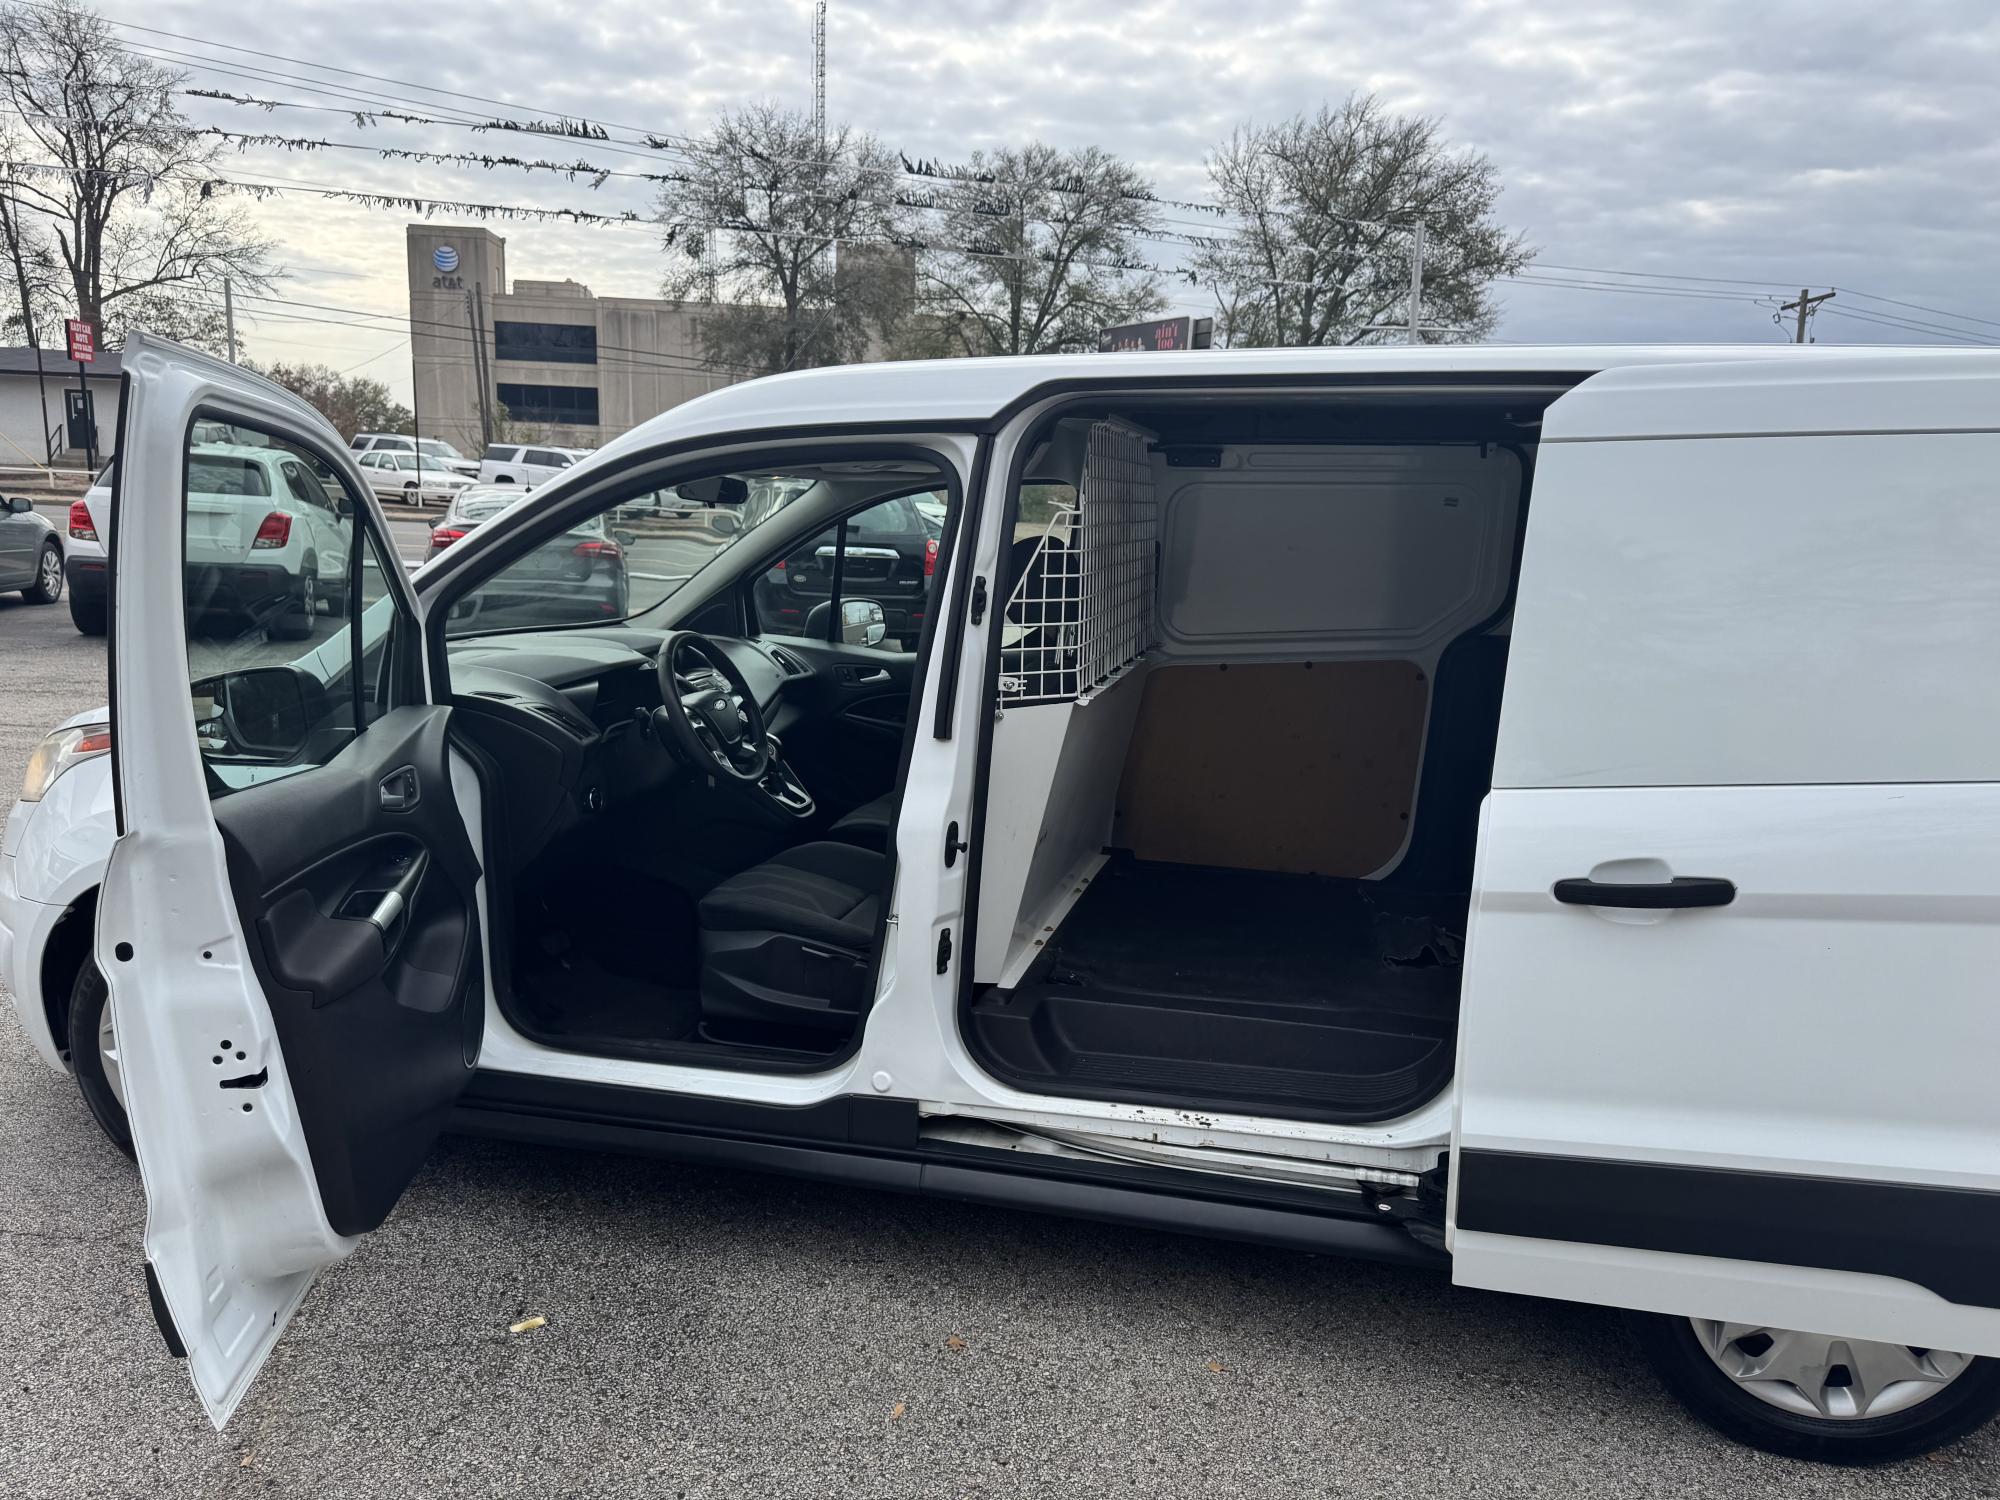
<point>789,239</point>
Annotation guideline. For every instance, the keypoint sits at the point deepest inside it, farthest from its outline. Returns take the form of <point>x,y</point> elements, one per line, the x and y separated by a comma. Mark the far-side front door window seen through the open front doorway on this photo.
<point>887,565</point>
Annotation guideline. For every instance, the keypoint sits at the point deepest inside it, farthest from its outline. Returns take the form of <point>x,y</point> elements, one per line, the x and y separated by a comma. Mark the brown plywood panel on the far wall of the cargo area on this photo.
<point>1275,767</point>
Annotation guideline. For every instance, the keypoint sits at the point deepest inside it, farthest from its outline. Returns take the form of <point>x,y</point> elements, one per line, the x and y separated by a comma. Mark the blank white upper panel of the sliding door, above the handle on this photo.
<point>1757,611</point>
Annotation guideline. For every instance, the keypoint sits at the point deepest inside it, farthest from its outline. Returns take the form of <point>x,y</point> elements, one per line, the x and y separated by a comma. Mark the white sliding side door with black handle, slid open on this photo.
<point>1729,1019</point>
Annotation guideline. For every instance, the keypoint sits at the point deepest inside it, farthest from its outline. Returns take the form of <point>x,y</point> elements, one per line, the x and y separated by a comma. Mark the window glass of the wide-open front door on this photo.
<point>277,579</point>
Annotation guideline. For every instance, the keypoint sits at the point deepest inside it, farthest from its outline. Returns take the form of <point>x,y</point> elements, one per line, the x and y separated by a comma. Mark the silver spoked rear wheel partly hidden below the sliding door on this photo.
<point>1815,1375</point>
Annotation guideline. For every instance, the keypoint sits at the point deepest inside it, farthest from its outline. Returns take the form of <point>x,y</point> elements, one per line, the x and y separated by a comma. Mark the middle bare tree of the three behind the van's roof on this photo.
<point>1039,249</point>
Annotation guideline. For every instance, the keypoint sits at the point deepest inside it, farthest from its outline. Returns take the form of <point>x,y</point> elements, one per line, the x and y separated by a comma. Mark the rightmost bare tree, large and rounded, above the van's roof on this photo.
<point>1327,203</point>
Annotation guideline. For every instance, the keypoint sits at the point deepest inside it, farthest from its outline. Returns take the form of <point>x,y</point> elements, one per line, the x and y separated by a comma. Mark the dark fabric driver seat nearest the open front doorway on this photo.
<point>789,943</point>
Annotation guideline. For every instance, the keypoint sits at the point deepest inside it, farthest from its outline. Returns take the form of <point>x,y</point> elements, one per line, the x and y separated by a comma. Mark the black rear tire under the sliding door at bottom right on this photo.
<point>1917,1415</point>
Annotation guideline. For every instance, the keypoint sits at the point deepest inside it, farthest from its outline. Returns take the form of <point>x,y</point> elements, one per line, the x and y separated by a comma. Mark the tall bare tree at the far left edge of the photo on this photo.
<point>113,213</point>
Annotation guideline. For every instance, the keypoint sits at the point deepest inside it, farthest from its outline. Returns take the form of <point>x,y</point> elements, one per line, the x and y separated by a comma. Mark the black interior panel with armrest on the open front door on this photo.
<point>357,887</point>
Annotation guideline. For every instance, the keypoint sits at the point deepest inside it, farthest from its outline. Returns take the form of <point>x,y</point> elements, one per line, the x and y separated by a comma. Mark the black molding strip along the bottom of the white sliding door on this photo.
<point>1941,1239</point>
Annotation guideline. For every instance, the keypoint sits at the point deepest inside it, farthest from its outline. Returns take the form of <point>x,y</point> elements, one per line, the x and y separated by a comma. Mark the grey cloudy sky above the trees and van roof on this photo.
<point>1709,151</point>
